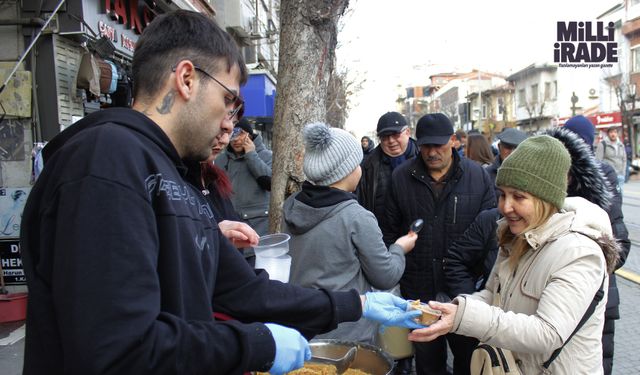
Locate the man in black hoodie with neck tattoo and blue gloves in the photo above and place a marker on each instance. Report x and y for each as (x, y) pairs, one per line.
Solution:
(124, 261)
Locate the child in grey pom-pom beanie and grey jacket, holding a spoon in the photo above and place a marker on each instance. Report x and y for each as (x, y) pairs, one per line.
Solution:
(335, 243)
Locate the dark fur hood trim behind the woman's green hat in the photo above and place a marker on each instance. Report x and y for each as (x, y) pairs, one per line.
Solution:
(586, 177)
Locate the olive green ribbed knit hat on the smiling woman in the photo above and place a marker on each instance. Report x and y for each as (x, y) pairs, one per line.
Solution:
(539, 166)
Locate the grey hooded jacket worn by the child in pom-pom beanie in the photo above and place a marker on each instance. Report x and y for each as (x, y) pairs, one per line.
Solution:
(339, 247)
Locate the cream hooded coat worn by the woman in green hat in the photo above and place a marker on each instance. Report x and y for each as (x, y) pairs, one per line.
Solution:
(547, 295)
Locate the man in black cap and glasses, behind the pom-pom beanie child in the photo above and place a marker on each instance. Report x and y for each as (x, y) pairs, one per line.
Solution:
(395, 147)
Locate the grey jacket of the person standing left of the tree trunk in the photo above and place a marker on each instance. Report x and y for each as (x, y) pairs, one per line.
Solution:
(249, 199)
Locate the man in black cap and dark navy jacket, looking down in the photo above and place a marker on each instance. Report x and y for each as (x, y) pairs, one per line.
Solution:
(447, 192)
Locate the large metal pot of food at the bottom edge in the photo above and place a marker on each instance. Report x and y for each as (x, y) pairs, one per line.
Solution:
(369, 358)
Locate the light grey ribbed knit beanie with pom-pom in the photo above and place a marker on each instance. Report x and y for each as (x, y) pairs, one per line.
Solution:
(331, 154)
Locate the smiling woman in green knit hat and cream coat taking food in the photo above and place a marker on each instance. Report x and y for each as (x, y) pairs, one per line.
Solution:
(555, 254)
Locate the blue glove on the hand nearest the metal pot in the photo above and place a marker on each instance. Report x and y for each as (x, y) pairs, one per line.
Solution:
(292, 349)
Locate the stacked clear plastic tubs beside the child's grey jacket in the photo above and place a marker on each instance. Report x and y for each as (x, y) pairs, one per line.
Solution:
(271, 256)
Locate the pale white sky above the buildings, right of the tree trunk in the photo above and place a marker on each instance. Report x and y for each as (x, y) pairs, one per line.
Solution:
(393, 44)
